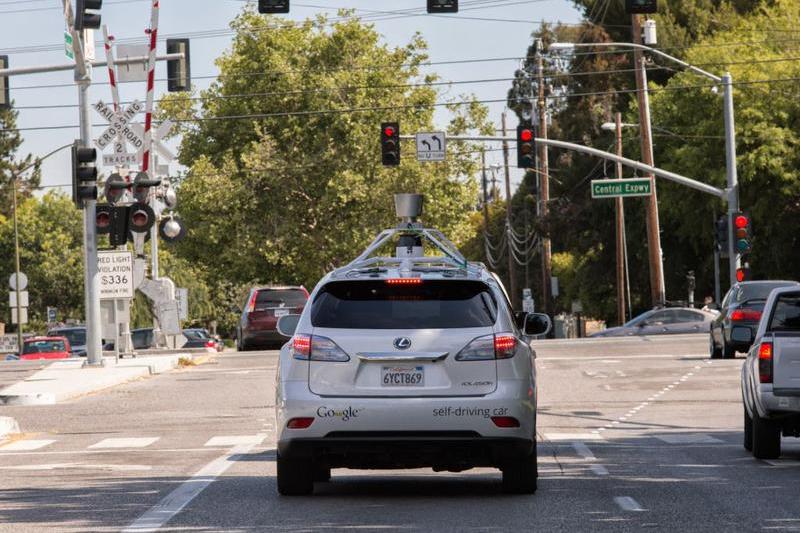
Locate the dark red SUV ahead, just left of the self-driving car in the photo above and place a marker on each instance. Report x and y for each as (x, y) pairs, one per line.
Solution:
(263, 308)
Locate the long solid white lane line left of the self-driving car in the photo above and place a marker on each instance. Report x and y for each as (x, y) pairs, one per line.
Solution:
(175, 501)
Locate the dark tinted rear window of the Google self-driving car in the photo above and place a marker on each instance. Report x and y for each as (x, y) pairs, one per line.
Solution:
(380, 305)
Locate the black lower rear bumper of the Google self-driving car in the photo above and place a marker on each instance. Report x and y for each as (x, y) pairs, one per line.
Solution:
(441, 450)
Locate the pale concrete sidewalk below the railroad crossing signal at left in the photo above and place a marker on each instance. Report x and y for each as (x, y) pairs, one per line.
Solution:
(64, 380)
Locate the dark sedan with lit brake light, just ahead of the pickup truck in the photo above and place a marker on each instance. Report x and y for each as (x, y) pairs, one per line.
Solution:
(735, 327)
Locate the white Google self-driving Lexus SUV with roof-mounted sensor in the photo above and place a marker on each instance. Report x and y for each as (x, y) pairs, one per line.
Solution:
(408, 361)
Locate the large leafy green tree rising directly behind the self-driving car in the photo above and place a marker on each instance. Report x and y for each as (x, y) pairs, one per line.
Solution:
(285, 179)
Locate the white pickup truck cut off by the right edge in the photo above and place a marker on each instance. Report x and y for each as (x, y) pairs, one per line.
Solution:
(771, 376)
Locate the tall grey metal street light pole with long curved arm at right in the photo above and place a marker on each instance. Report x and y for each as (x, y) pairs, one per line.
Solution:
(726, 80)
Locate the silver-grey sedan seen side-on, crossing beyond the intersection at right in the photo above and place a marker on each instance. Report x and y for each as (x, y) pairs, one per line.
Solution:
(668, 321)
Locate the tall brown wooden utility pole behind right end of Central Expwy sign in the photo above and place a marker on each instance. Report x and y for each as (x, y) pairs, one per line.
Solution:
(657, 289)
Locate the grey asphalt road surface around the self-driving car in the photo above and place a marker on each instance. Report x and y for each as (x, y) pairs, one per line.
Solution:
(635, 434)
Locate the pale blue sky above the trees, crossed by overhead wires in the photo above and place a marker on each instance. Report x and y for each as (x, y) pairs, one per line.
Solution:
(32, 34)
